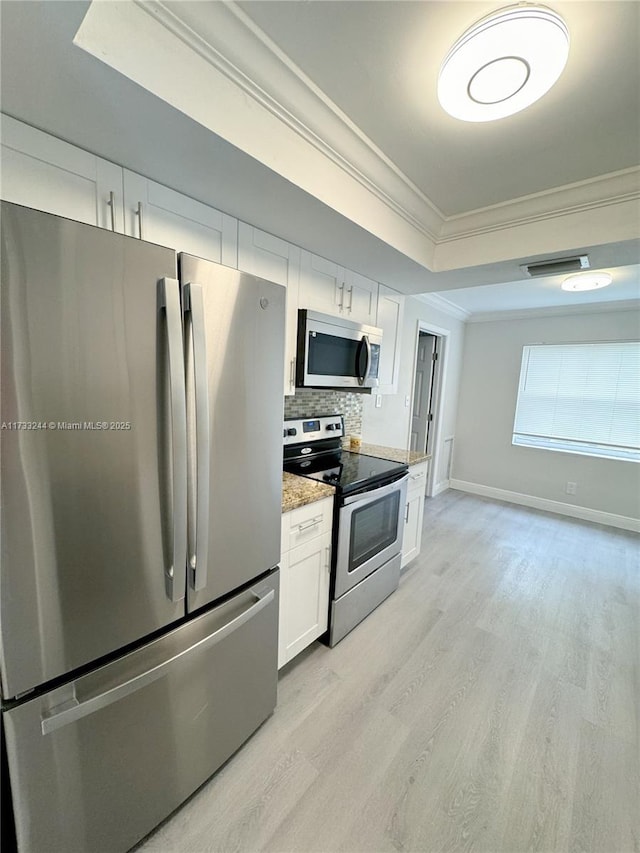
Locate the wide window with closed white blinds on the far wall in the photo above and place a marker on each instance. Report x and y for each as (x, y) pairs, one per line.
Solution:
(580, 398)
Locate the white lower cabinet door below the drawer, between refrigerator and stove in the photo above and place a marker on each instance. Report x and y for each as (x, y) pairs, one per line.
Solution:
(304, 596)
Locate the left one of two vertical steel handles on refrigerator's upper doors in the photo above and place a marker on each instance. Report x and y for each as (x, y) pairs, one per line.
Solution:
(169, 300)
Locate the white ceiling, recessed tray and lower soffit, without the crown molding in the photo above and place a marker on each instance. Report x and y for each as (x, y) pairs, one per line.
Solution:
(377, 62)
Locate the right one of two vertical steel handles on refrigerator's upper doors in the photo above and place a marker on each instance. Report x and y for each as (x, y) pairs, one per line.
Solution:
(198, 551)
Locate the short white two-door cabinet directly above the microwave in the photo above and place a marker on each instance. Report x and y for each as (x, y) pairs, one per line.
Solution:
(331, 289)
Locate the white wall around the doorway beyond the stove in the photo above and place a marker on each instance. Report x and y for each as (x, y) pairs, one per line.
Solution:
(390, 424)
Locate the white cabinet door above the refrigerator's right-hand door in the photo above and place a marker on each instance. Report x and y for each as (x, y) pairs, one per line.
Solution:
(158, 214)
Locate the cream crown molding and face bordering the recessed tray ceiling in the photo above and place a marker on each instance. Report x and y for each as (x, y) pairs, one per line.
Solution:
(211, 62)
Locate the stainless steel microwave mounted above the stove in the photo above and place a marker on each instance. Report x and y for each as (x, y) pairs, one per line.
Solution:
(336, 353)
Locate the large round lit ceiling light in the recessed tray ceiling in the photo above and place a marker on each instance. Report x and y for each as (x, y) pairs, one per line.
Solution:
(503, 63)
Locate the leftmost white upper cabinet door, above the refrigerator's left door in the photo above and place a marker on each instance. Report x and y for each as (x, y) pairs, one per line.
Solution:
(47, 174)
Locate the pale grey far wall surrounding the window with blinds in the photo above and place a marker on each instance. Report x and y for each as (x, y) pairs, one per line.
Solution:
(484, 455)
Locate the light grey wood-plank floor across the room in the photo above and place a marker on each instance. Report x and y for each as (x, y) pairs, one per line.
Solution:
(490, 704)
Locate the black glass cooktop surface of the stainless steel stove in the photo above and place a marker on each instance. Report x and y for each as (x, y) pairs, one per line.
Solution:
(347, 471)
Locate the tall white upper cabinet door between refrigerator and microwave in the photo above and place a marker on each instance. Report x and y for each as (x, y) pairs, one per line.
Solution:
(270, 257)
